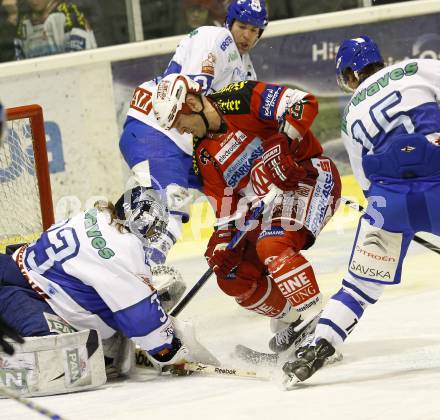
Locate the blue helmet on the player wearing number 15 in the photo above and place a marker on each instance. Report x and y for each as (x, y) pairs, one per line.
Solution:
(355, 54)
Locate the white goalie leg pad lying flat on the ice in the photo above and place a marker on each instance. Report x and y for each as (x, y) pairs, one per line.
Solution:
(56, 364)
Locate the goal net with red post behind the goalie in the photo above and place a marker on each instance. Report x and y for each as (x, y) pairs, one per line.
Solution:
(26, 199)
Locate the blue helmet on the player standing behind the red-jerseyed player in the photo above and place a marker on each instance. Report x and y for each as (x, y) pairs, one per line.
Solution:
(251, 12)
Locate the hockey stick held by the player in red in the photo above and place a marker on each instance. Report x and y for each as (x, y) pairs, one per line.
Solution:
(234, 241)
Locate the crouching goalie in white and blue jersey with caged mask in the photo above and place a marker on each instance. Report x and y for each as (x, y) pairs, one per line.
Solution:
(91, 272)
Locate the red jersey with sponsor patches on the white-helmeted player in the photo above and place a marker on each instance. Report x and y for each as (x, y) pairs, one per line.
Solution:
(229, 161)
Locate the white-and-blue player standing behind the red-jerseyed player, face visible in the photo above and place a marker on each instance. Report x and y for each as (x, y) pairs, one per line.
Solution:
(214, 57)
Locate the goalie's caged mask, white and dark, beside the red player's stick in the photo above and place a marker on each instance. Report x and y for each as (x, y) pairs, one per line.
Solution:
(143, 212)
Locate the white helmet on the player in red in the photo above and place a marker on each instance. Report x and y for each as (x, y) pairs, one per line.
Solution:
(170, 96)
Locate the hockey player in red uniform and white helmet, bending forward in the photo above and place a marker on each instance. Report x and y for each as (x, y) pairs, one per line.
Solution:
(252, 136)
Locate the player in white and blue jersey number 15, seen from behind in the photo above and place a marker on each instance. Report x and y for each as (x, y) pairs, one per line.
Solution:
(391, 130)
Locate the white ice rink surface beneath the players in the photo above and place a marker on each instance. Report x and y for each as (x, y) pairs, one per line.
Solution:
(391, 366)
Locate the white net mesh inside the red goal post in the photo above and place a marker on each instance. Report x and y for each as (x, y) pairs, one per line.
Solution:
(20, 213)
